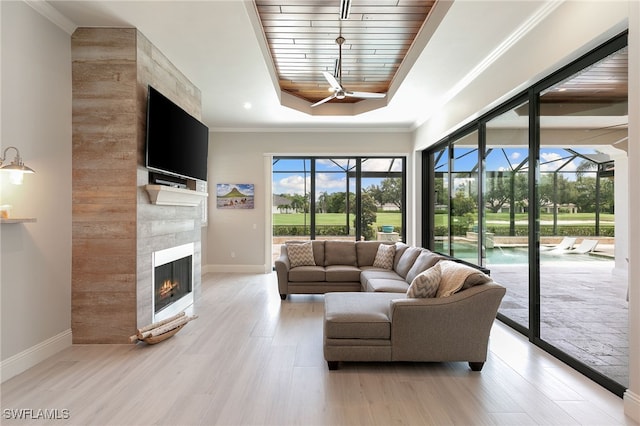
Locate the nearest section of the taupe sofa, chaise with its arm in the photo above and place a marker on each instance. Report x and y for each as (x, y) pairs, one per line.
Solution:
(393, 327)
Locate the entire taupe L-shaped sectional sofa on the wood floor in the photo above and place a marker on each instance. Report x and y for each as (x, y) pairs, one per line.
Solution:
(368, 315)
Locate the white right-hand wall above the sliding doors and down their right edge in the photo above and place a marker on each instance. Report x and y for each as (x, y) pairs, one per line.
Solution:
(573, 29)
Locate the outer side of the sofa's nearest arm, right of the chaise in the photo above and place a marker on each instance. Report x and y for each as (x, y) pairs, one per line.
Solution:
(454, 328)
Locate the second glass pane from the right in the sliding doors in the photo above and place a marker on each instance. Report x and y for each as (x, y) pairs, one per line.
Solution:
(506, 202)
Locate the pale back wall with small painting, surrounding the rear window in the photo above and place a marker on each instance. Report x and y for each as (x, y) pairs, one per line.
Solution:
(237, 239)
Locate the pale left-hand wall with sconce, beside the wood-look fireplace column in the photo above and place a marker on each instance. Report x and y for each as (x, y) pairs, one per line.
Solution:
(35, 257)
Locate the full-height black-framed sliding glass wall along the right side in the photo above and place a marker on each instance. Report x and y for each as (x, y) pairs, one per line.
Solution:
(529, 191)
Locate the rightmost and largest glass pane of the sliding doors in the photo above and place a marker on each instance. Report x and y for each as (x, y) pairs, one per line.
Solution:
(583, 306)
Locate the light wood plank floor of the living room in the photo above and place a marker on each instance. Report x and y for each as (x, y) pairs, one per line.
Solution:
(250, 359)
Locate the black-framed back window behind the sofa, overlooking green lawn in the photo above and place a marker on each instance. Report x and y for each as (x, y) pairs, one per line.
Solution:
(359, 198)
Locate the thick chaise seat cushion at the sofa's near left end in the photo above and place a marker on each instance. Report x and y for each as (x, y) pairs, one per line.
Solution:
(357, 316)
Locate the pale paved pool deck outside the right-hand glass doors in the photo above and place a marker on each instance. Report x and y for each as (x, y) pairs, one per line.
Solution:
(583, 310)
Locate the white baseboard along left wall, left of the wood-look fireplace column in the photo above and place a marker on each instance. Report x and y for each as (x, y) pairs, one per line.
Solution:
(26, 359)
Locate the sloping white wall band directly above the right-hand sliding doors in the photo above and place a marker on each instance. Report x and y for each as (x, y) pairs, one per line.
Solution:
(572, 29)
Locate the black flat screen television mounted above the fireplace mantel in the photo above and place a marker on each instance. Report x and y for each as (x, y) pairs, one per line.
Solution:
(177, 143)
